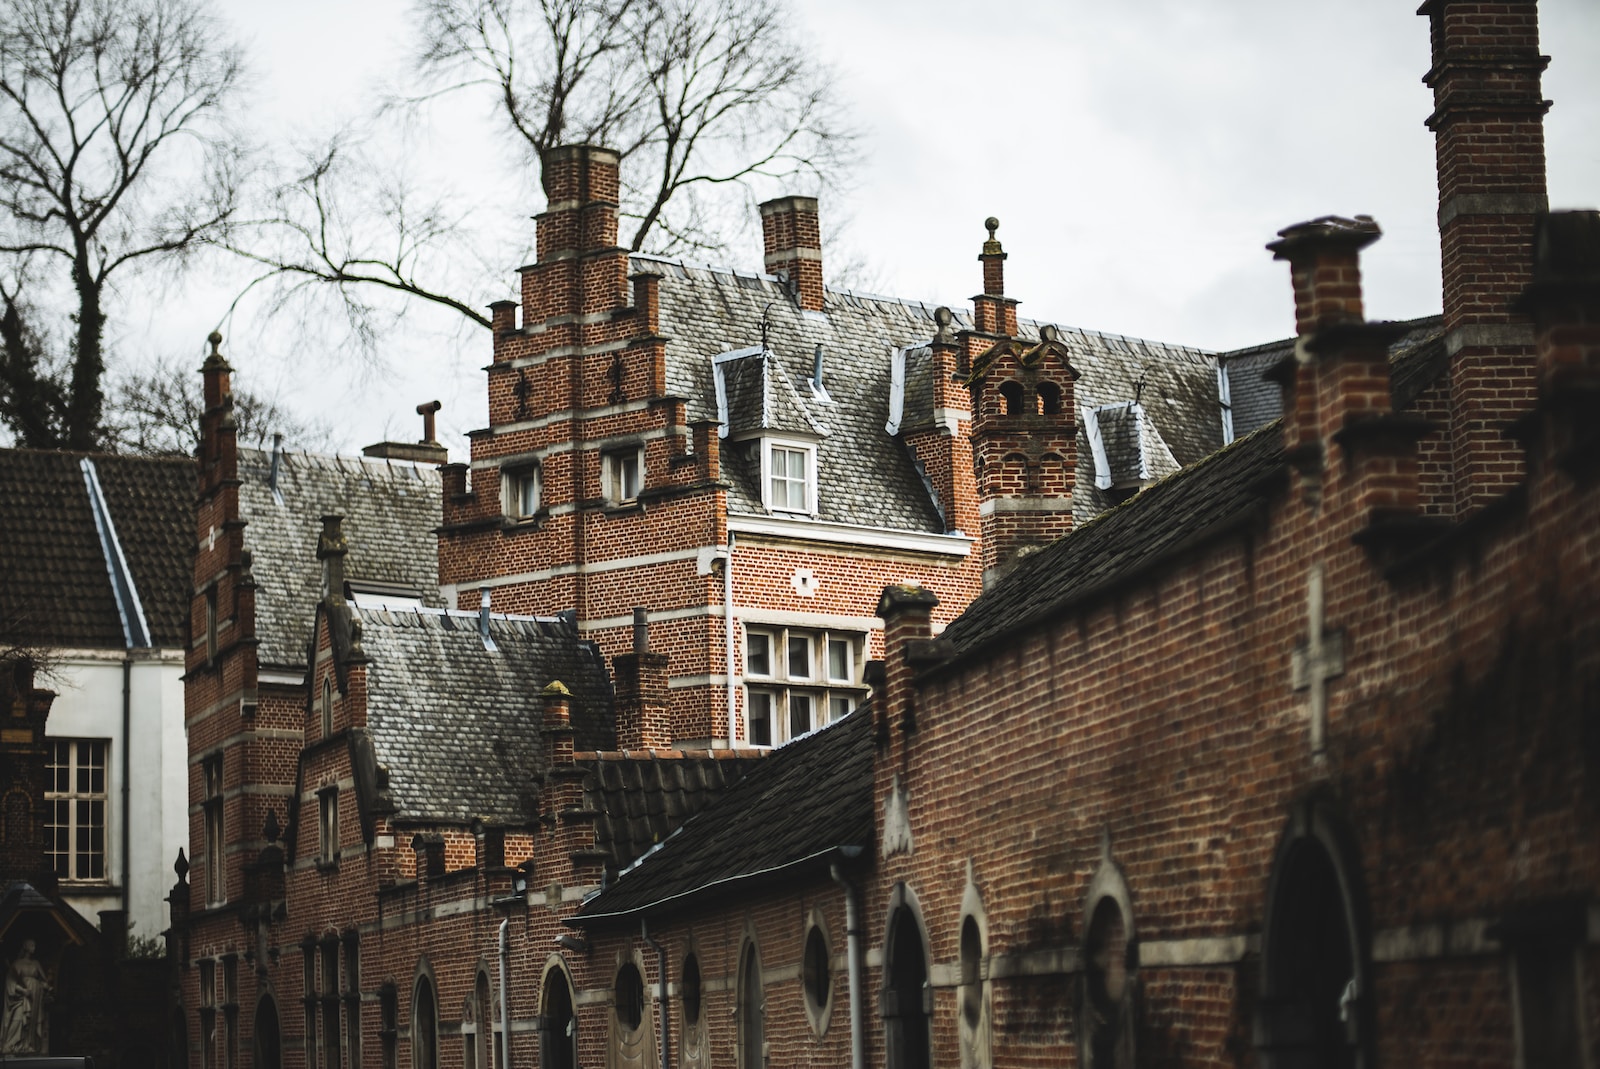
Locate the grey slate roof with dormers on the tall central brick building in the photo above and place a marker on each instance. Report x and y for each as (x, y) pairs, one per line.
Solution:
(866, 476)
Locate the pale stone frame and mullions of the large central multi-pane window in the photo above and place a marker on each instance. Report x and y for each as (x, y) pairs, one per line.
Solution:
(831, 697)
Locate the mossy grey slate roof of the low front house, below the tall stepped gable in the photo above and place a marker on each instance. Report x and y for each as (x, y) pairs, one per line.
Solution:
(458, 726)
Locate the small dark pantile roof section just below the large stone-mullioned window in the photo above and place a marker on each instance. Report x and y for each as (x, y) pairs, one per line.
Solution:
(644, 798)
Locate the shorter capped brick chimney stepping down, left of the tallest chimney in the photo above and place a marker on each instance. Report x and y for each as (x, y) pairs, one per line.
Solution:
(1356, 457)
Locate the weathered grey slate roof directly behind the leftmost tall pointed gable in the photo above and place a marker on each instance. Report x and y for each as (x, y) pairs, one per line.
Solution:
(390, 508)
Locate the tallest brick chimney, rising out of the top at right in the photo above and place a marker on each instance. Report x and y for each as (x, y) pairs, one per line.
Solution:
(1489, 126)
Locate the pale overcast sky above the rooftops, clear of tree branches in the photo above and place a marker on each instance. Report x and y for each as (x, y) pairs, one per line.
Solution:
(1138, 156)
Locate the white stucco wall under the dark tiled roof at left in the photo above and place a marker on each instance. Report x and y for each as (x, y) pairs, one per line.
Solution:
(89, 707)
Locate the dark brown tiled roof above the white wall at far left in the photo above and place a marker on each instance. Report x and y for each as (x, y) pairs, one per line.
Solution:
(55, 588)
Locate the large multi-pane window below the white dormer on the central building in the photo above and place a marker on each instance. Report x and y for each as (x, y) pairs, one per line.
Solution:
(798, 679)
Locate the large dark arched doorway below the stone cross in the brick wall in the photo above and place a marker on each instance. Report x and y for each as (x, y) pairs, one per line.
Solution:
(1314, 983)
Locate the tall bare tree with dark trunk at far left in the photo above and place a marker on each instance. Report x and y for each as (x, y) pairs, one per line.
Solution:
(113, 158)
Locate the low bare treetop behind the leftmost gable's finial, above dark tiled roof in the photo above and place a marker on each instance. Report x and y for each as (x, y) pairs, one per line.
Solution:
(156, 412)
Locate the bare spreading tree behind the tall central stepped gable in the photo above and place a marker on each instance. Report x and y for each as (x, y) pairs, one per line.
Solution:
(702, 98)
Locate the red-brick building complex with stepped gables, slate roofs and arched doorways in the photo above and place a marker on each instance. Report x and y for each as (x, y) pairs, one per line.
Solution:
(1287, 759)
